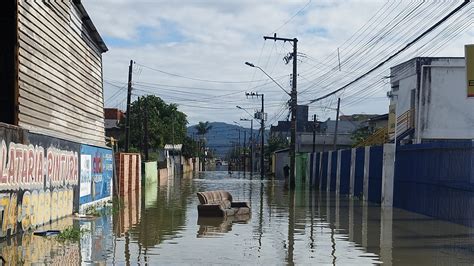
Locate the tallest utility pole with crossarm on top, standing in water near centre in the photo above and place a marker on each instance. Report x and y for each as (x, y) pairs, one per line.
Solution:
(293, 104)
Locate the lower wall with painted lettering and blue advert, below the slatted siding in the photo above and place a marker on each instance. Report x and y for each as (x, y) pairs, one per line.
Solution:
(43, 179)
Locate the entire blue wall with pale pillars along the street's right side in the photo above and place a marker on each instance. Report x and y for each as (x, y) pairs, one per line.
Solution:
(435, 179)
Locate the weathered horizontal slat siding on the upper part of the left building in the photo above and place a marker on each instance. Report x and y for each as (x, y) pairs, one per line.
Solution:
(60, 73)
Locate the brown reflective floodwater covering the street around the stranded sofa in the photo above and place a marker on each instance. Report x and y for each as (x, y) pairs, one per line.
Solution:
(160, 225)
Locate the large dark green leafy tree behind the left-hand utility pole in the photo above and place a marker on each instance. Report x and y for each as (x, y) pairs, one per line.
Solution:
(166, 125)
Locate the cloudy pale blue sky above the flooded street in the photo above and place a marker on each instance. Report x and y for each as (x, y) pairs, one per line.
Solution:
(192, 52)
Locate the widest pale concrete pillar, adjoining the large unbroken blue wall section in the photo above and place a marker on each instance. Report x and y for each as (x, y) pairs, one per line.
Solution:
(388, 171)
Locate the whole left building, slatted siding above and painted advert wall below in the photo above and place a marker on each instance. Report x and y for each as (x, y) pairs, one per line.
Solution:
(53, 159)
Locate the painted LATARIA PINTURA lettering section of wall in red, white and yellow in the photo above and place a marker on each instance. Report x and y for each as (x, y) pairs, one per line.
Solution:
(37, 180)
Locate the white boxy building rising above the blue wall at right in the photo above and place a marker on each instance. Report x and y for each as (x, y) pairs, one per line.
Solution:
(443, 111)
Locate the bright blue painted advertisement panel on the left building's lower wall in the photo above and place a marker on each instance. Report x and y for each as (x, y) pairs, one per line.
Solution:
(96, 174)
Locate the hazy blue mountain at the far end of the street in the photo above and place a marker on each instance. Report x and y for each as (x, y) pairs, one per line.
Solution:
(222, 137)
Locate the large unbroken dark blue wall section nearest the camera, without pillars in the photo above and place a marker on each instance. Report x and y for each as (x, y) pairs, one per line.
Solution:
(435, 179)
